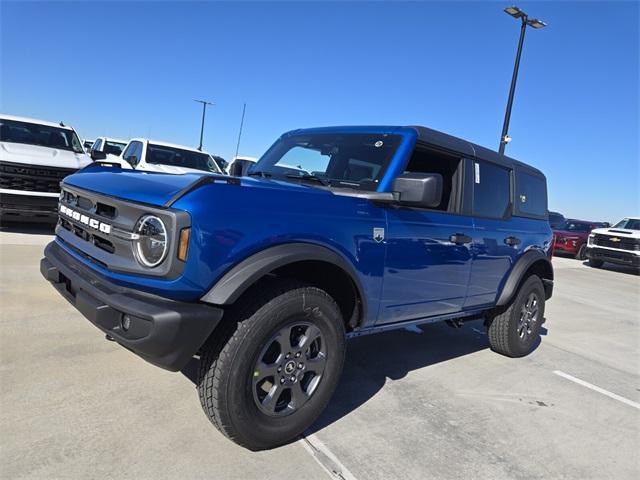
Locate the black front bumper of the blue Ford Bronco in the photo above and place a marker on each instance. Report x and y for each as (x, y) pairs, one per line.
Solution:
(162, 331)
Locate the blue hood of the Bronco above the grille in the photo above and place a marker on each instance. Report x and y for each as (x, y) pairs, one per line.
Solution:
(155, 188)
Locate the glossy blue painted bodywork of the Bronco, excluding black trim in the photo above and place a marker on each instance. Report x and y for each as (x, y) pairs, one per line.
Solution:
(416, 272)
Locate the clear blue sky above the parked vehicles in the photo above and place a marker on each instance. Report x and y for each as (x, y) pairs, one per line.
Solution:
(132, 69)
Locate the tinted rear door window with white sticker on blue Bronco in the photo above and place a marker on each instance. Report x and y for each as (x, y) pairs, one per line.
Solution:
(491, 190)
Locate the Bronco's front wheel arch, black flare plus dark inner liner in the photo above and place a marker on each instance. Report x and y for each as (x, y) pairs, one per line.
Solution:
(314, 264)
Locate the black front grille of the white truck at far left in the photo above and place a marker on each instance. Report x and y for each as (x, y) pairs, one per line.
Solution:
(32, 178)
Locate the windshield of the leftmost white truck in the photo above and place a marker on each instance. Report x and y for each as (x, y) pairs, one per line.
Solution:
(41, 135)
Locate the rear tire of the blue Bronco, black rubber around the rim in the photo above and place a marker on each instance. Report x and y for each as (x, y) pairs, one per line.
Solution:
(503, 326)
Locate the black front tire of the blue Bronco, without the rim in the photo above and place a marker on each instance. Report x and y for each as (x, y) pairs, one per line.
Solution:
(228, 360)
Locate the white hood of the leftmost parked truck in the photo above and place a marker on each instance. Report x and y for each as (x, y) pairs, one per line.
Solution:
(43, 156)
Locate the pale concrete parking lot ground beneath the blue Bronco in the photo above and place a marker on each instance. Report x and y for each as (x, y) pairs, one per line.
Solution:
(429, 403)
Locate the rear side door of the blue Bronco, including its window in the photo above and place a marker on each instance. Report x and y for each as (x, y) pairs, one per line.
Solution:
(495, 243)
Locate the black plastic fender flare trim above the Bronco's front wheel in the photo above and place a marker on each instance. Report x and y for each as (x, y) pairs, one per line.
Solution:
(235, 282)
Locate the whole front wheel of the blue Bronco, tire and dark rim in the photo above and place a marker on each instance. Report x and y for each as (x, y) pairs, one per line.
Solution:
(278, 367)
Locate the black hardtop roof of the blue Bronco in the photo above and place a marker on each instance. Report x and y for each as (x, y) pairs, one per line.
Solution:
(449, 142)
